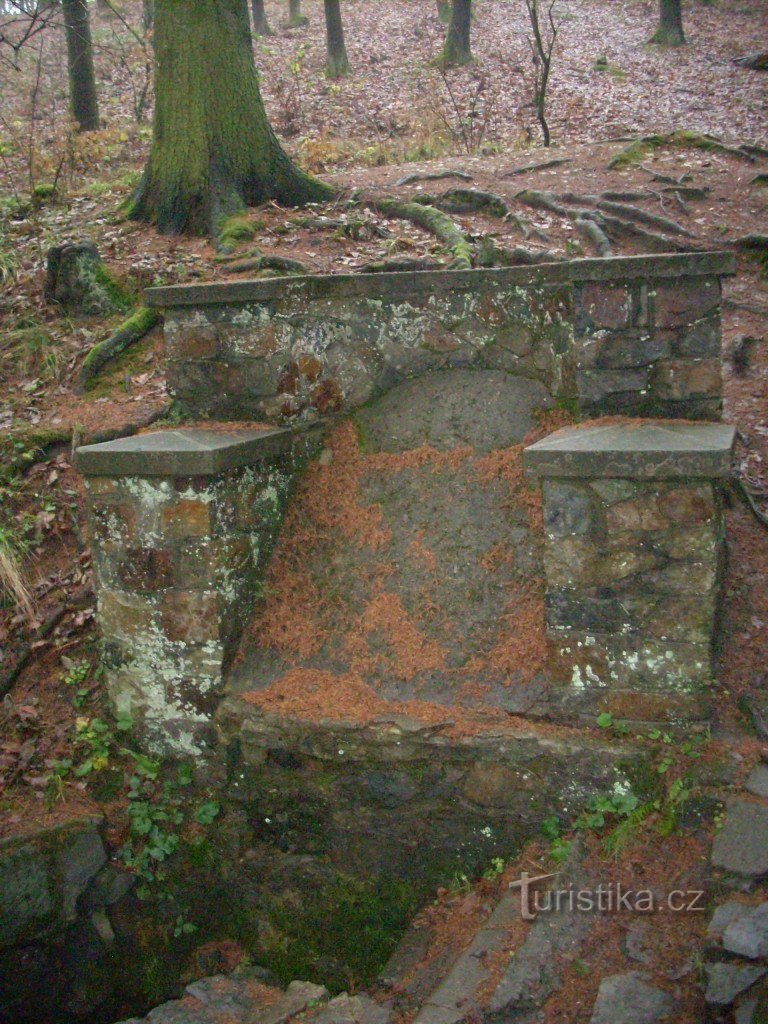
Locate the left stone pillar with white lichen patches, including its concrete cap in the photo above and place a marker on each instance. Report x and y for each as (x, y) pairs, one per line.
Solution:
(182, 523)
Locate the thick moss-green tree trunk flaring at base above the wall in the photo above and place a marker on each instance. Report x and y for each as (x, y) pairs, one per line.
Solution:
(214, 149)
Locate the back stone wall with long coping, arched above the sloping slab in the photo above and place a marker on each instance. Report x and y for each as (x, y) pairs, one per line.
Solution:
(635, 335)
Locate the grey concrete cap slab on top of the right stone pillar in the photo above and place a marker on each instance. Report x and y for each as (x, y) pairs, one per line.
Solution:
(637, 449)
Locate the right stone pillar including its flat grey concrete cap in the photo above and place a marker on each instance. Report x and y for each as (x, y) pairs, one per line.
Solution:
(634, 551)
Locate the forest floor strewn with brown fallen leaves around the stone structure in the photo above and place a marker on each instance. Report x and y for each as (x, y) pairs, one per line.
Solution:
(393, 118)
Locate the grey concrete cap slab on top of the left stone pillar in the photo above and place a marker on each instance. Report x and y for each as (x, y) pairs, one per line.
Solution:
(183, 453)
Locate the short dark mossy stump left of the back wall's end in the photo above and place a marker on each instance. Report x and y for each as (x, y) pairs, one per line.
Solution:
(76, 279)
